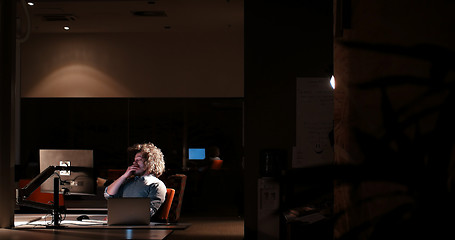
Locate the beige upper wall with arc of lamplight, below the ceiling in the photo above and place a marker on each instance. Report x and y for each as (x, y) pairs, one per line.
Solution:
(169, 64)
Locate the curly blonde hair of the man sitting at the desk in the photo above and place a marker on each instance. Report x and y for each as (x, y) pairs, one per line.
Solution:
(153, 155)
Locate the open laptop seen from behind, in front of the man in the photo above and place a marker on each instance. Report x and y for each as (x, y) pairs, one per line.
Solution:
(128, 211)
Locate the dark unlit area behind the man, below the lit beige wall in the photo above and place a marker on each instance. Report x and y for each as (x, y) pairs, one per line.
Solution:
(108, 125)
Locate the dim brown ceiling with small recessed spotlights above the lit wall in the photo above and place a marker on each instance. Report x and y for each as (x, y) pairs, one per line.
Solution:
(85, 16)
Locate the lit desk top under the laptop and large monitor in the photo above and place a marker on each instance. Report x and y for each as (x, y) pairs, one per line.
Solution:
(83, 230)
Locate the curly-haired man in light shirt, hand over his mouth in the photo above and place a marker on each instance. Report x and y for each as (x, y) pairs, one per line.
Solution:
(141, 178)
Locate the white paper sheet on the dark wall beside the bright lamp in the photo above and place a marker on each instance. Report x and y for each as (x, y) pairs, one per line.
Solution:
(314, 122)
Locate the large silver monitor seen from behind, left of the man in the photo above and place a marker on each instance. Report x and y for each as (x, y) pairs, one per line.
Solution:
(74, 182)
